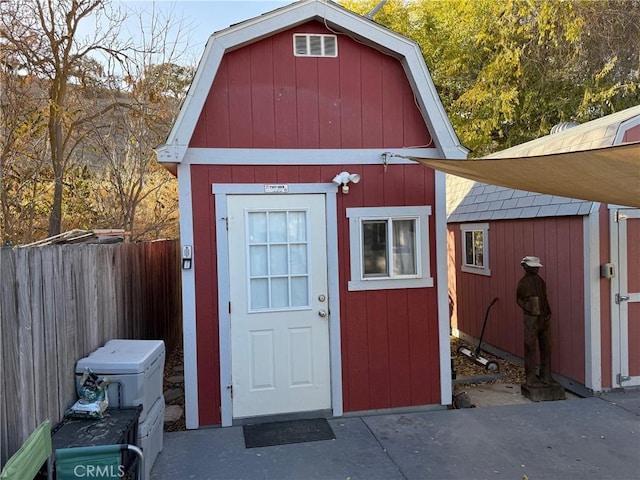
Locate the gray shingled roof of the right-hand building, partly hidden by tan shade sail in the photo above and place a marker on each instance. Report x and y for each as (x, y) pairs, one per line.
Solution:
(471, 201)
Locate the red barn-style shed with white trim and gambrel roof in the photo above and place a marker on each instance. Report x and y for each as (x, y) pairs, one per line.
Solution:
(314, 272)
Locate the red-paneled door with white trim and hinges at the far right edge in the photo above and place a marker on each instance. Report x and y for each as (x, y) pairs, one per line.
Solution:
(627, 297)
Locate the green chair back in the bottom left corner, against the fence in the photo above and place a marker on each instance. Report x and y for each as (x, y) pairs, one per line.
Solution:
(26, 462)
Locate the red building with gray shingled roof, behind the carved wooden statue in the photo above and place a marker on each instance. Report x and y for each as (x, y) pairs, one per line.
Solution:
(591, 257)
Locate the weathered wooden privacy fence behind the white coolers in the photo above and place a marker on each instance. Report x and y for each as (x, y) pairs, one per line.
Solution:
(60, 303)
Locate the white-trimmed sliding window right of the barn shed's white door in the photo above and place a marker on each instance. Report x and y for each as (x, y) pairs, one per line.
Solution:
(389, 247)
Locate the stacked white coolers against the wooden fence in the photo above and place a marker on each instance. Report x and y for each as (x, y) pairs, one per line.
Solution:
(136, 370)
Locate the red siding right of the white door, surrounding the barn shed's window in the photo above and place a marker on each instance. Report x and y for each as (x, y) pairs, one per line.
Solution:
(390, 354)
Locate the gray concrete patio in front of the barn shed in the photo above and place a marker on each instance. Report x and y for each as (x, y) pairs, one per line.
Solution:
(596, 437)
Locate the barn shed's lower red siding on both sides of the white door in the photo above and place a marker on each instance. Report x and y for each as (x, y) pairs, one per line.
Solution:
(390, 355)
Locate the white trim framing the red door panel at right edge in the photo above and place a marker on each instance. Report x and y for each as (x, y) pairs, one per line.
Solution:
(619, 324)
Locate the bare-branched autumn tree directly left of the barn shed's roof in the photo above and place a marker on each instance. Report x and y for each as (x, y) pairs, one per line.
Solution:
(136, 193)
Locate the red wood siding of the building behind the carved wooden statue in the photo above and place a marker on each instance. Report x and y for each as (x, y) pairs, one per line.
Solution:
(558, 241)
